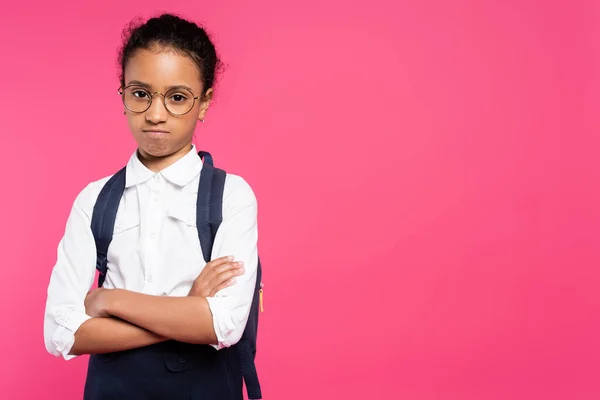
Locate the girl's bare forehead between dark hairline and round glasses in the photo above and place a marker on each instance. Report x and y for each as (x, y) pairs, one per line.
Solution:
(162, 69)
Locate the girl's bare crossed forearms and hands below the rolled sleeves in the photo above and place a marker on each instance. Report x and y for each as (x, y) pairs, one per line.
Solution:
(123, 320)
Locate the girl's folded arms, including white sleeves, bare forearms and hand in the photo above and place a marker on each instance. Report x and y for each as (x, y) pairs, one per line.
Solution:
(117, 319)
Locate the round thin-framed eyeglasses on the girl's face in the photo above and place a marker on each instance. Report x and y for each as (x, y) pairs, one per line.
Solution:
(178, 100)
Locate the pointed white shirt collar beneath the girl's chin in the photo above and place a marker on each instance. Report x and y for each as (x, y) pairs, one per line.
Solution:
(180, 173)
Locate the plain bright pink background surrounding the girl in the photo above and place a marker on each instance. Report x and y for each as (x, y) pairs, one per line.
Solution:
(427, 178)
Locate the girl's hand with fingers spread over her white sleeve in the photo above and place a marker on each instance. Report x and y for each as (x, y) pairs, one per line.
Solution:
(216, 275)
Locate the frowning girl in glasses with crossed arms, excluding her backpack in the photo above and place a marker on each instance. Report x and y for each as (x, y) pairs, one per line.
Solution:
(159, 300)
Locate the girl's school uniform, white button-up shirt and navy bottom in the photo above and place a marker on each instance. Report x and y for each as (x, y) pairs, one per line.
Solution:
(155, 250)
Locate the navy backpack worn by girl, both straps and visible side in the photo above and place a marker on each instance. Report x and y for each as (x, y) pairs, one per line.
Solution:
(208, 218)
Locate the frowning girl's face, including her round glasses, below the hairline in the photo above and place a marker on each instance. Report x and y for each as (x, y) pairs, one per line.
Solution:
(165, 125)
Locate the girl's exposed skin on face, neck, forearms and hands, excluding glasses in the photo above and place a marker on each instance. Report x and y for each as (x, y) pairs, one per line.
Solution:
(122, 319)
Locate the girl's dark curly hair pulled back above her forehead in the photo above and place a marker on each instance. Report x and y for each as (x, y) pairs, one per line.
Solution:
(174, 33)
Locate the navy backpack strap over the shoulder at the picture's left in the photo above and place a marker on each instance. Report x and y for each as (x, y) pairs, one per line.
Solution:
(103, 220)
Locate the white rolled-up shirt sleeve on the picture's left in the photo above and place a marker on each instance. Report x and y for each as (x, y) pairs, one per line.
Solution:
(71, 278)
